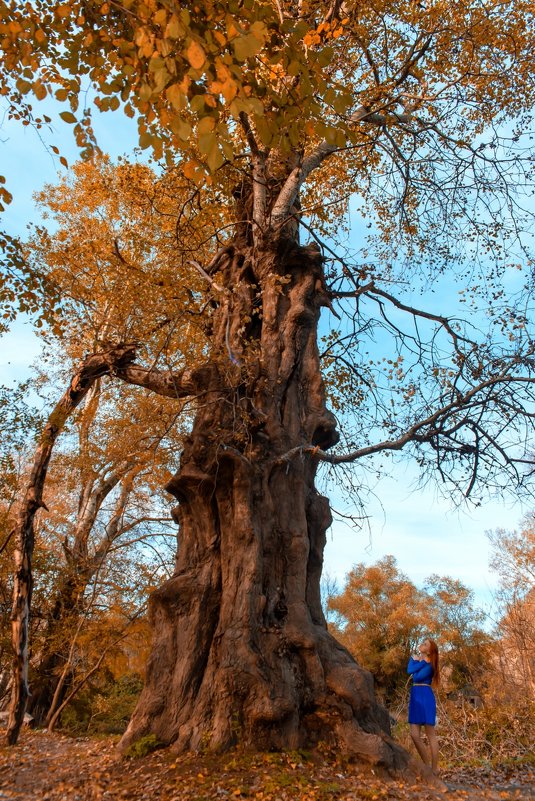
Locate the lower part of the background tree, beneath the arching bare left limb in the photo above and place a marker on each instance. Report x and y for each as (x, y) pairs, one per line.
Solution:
(104, 498)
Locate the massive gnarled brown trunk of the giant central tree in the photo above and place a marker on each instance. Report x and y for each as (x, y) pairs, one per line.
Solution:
(241, 648)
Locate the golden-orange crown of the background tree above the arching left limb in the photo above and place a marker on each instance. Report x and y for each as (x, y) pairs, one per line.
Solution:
(120, 253)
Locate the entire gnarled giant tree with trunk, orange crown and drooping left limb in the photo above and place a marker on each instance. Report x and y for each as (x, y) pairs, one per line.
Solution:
(271, 115)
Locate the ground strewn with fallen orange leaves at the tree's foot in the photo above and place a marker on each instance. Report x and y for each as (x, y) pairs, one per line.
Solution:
(54, 767)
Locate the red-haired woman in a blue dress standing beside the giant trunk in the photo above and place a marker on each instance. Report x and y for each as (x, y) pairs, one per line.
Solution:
(422, 705)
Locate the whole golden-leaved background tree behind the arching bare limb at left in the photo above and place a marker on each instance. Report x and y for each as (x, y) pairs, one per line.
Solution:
(119, 447)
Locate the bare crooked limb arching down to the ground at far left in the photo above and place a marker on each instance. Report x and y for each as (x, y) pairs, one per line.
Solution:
(91, 369)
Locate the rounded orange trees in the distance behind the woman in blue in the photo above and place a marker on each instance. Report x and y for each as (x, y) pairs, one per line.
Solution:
(383, 616)
